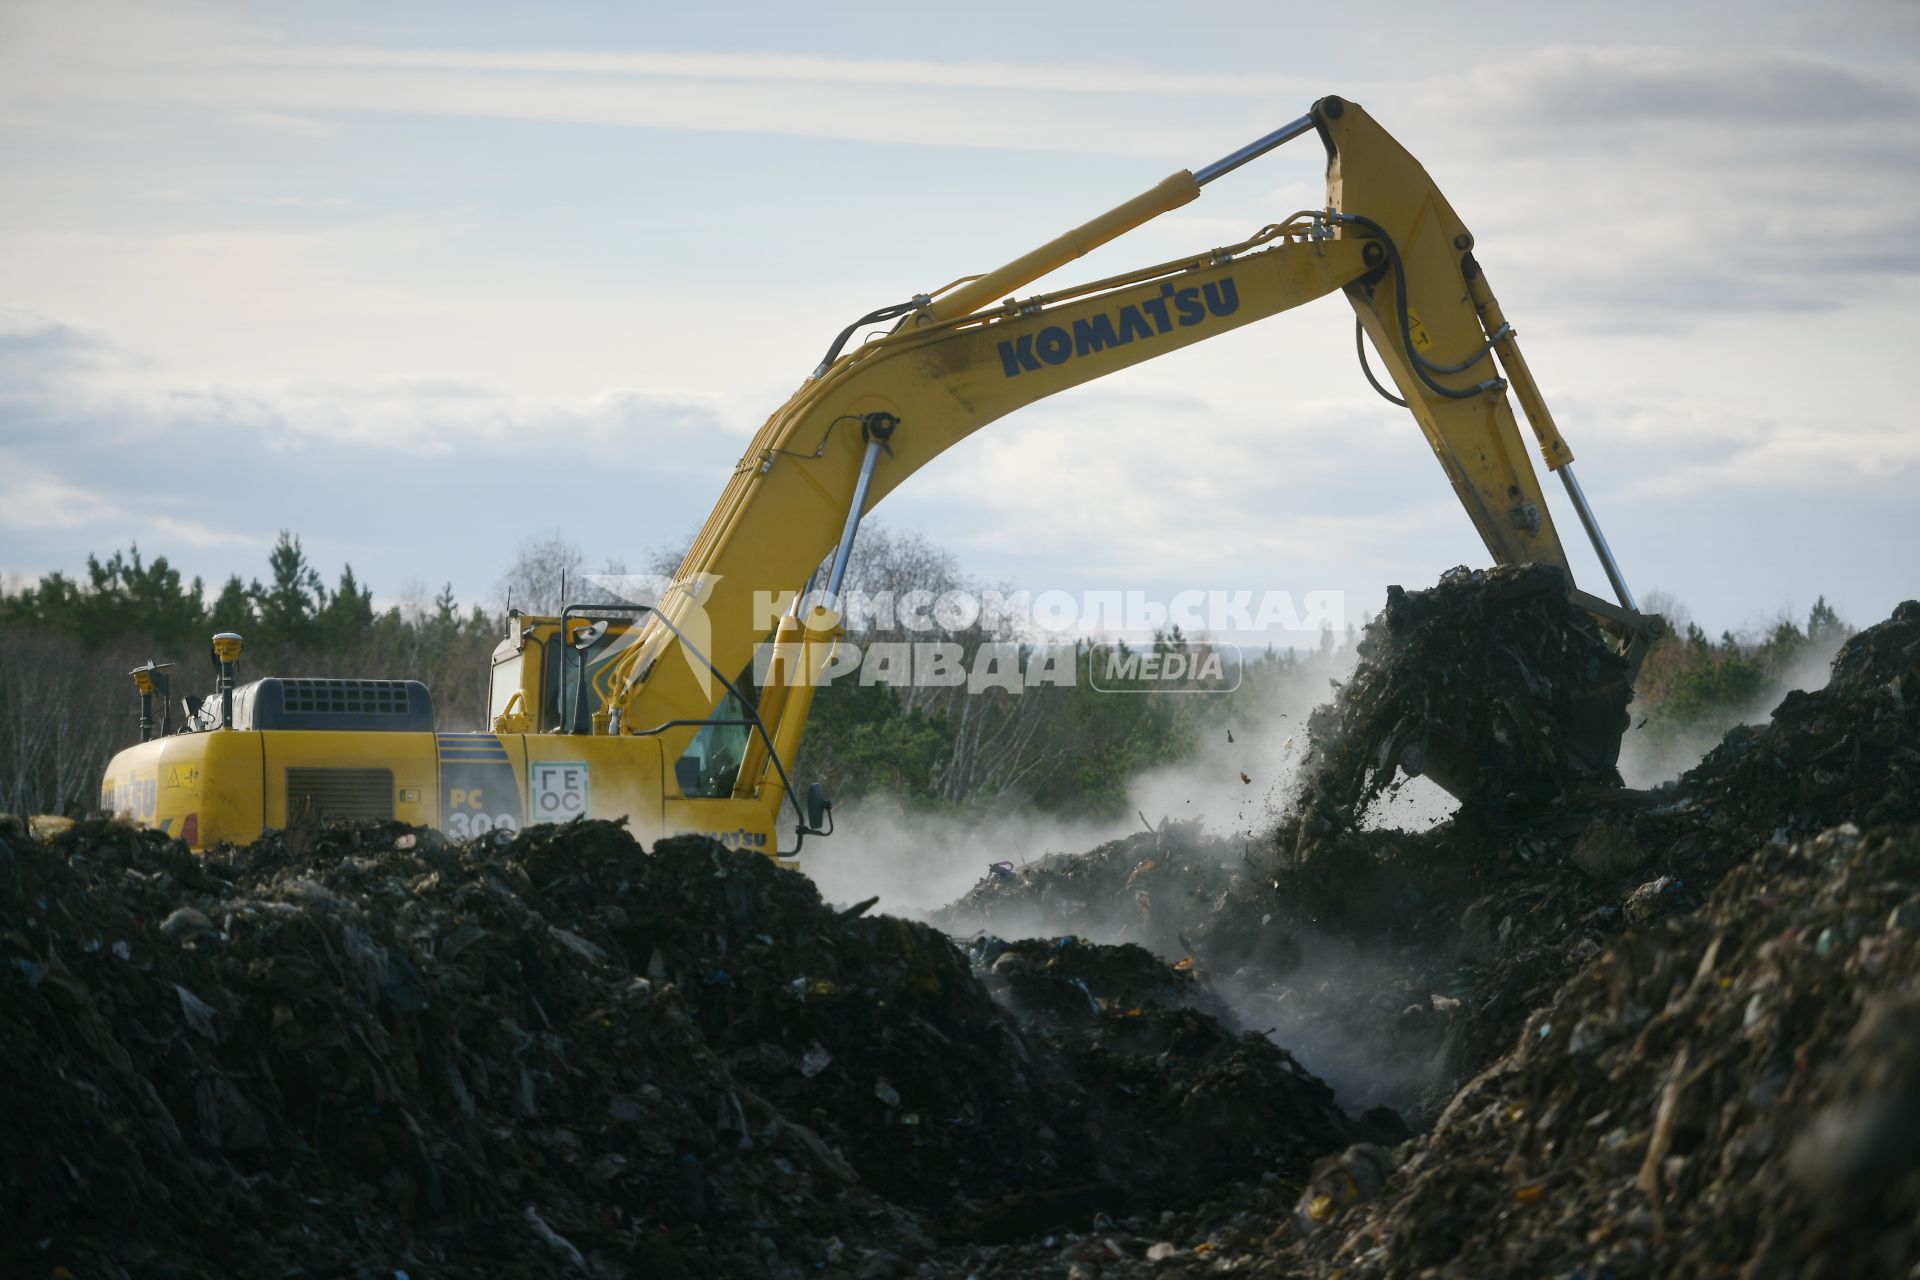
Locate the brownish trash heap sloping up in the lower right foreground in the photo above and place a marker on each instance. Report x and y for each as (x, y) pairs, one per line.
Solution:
(1735, 1091)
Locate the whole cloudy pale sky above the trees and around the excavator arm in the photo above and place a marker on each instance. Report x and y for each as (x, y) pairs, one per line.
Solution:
(427, 281)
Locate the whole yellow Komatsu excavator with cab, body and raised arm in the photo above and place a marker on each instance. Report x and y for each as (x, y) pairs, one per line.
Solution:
(656, 713)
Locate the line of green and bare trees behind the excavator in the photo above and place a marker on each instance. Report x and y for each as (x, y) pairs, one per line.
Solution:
(66, 701)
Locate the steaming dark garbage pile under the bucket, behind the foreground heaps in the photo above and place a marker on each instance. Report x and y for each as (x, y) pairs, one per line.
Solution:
(1401, 964)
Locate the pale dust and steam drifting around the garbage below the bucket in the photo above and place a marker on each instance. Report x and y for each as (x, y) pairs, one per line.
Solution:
(921, 863)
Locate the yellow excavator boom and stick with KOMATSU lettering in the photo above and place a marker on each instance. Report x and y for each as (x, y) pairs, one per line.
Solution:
(972, 354)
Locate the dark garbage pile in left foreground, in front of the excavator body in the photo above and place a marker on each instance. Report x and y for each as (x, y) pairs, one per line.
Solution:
(372, 1051)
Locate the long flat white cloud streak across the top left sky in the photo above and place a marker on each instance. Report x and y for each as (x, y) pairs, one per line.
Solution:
(151, 62)
